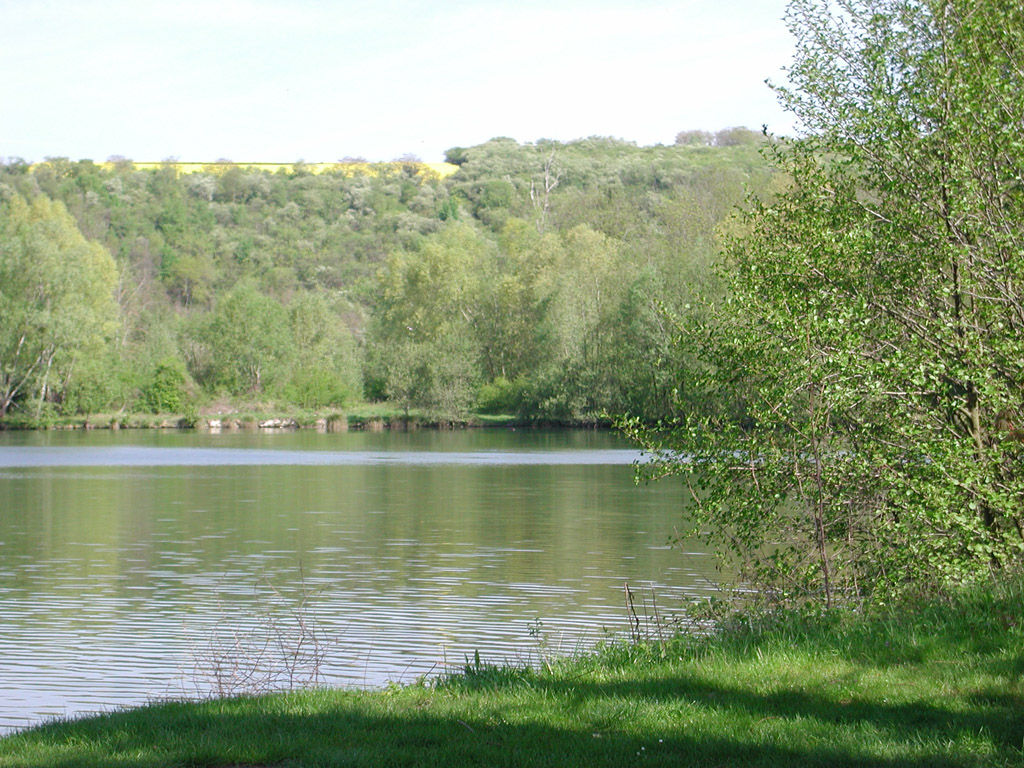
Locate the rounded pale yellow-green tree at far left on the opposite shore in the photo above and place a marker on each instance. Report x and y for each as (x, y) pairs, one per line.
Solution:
(57, 304)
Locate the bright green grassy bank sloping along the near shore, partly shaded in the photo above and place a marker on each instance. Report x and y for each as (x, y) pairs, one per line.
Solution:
(935, 684)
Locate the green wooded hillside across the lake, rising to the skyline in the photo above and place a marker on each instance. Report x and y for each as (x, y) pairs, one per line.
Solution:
(532, 280)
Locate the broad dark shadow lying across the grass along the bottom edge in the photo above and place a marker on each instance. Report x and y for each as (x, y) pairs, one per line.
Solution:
(439, 729)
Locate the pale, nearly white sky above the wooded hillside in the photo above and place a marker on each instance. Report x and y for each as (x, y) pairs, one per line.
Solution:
(313, 80)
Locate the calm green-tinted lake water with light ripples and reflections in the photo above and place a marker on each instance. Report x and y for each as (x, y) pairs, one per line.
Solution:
(133, 564)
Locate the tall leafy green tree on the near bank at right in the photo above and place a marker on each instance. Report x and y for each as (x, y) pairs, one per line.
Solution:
(873, 346)
